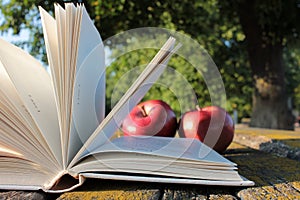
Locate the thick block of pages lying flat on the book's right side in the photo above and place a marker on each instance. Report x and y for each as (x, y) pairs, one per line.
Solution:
(175, 157)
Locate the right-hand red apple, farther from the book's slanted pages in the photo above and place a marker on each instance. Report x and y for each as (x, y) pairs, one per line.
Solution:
(212, 125)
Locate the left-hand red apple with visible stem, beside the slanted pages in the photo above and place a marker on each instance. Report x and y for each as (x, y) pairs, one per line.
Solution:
(150, 118)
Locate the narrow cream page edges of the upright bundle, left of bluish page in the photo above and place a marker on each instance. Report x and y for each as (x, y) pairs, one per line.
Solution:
(65, 19)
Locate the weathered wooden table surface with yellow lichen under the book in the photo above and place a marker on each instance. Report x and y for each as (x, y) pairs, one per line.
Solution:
(270, 158)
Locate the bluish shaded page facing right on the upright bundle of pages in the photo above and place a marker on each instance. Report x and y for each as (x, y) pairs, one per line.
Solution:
(88, 106)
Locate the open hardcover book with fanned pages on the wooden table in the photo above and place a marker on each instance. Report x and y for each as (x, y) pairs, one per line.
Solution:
(53, 130)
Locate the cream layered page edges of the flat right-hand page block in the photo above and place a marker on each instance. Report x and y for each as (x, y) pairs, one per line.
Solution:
(140, 166)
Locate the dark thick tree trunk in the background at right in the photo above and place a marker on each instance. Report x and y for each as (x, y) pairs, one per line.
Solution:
(269, 108)
